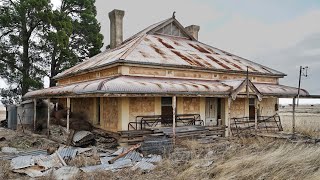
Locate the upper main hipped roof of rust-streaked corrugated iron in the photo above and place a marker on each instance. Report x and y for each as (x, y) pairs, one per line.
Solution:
(147, 47)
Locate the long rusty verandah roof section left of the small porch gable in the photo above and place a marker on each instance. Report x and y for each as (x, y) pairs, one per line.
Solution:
(130, 84)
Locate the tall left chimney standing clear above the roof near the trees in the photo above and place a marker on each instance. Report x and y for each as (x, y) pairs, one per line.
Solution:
(116, 27)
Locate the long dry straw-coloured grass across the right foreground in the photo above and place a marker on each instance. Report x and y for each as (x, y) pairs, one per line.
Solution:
(251, 158)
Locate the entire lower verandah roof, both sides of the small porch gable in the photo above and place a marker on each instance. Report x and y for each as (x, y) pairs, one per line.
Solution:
(156, 85)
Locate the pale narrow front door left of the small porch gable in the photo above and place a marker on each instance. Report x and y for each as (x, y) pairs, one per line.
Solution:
(211, 112)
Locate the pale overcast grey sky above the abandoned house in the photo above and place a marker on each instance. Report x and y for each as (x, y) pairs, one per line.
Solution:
(279, 34)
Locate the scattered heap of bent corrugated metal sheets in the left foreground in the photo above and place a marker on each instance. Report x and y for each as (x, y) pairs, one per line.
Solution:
(58, 163)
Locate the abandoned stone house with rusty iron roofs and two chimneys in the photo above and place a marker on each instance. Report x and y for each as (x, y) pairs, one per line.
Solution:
(164, 72)
